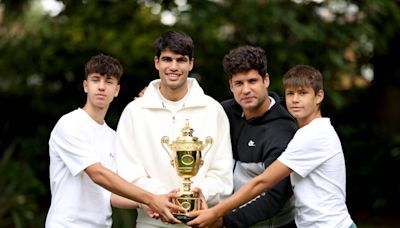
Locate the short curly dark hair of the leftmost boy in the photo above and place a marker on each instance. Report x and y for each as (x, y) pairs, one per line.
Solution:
(104, 65)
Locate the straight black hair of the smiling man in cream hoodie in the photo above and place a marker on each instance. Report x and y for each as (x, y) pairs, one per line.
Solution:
(177, 42)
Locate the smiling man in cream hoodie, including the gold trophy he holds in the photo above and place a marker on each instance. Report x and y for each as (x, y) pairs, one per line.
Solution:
(175, 121)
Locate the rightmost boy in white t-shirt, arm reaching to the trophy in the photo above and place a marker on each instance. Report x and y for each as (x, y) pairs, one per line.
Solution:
(314, 160)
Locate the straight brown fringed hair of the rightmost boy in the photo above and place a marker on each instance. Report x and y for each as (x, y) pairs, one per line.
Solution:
(303, 76)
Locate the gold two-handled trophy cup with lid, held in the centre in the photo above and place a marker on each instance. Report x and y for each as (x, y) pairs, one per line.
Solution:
(185, 153)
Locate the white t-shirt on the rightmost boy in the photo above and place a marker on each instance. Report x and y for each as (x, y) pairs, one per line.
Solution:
(319, 179)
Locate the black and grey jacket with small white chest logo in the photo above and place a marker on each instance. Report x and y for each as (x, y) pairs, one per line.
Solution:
(256, 143)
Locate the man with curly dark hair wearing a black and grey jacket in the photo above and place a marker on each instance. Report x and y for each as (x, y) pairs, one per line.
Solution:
(260, 131)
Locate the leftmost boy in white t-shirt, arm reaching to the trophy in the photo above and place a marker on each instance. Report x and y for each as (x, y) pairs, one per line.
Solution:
(82, 159)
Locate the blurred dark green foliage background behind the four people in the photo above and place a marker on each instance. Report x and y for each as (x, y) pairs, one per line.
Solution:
(41, 73)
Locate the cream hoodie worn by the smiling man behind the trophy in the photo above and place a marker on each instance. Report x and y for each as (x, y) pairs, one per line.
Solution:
(142, 160)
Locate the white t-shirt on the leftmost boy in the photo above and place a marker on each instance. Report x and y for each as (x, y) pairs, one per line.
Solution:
(76, 142)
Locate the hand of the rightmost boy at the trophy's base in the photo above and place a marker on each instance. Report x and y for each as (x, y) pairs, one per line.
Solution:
(204, 218)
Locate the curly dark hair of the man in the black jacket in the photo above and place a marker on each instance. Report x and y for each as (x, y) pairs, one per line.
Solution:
(245, 58)
